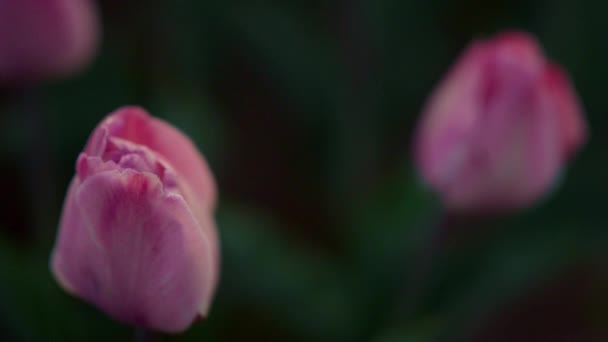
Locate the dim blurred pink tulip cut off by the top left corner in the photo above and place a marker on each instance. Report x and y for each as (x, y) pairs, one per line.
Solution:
(42, 39)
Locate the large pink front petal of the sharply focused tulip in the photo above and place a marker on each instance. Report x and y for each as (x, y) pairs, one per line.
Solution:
(135, 251)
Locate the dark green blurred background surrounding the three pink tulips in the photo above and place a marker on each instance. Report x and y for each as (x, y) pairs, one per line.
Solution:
(305, 111)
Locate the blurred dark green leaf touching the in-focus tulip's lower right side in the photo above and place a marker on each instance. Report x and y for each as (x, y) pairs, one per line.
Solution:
(298, 286)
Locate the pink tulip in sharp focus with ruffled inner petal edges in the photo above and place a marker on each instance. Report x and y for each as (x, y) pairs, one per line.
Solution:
(137, 236)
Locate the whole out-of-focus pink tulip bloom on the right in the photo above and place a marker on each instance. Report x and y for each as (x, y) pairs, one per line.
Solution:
(498, 129)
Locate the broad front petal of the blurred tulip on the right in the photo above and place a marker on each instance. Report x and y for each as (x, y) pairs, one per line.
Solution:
(513, 156)
